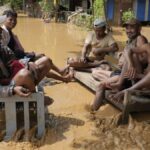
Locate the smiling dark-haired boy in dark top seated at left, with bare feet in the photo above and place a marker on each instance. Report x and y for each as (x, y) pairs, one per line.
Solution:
(10, 40)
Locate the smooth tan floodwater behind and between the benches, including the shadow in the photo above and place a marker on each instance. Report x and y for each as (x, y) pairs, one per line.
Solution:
(59, 41)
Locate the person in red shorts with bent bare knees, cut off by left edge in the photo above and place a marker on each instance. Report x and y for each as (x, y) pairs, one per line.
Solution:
(25, 75)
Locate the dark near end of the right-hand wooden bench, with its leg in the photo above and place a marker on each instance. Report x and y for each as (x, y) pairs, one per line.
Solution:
(134, 101)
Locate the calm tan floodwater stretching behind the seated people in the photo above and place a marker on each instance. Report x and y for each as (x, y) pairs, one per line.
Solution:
(55, 40)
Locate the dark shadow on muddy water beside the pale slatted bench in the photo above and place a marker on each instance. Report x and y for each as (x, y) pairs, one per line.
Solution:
(58, 125)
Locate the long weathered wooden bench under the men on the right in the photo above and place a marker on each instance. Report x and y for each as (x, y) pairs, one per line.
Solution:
(134, 101)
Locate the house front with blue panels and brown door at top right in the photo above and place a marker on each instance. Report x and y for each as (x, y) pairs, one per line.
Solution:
(115, 8)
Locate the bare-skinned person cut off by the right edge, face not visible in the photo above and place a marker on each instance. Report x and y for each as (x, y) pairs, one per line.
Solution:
(143, 76)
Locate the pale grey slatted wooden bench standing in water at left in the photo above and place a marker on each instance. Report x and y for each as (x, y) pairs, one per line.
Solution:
(10, 113)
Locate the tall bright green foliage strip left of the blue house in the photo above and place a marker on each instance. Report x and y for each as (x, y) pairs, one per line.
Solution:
(98, 8)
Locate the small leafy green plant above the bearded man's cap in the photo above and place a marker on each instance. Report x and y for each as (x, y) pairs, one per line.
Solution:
(129, 14)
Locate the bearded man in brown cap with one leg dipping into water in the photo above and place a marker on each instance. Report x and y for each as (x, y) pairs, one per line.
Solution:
(135, 39)
